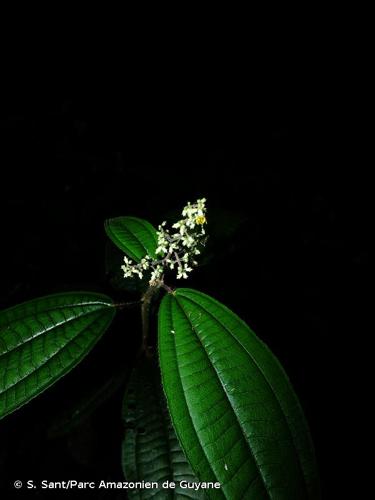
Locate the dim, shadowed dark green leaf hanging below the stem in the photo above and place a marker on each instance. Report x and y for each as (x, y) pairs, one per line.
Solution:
(151, 451)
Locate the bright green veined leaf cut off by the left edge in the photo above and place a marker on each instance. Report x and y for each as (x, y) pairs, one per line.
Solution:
(43, 339)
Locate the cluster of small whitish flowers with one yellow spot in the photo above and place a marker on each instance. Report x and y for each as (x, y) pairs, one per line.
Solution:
(175, 250)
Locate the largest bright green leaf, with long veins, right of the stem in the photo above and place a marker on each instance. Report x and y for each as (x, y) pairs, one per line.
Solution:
(232, 405)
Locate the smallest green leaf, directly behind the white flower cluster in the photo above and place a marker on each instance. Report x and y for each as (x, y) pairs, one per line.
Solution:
(136, 237)
